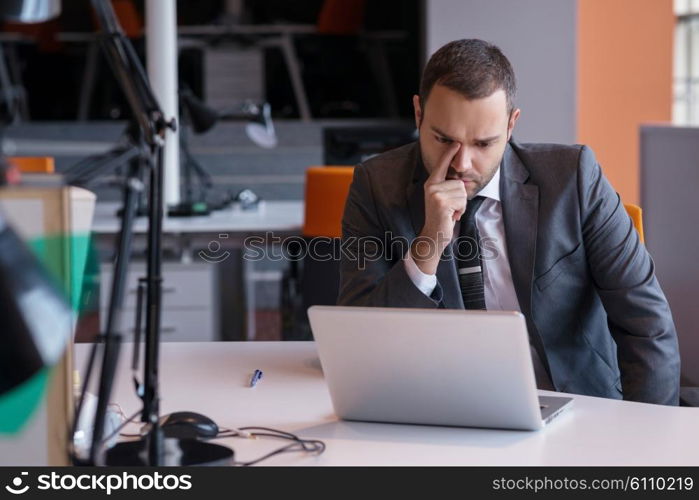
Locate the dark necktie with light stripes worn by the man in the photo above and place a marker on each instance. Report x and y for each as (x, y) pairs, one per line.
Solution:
(468, 257)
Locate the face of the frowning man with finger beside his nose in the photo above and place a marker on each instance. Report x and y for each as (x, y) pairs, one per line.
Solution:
(482, 127)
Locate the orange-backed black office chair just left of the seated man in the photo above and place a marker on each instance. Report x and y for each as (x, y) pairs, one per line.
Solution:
(312, 278)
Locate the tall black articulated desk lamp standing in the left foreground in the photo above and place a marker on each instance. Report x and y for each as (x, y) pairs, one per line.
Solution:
(154, 448)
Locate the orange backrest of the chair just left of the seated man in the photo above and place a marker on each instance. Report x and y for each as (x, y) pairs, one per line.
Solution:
(326, 191)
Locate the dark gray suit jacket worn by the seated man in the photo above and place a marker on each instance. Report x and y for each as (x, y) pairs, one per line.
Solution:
(595, 312)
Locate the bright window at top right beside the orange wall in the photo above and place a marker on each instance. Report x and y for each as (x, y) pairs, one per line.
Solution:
(685, 110)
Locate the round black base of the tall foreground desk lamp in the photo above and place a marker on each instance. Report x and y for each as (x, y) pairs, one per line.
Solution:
(176, 452)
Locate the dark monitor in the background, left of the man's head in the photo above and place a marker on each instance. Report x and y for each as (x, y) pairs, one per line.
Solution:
(349, 145)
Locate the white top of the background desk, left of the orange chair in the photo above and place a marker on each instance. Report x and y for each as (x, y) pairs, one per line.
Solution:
(282, 216)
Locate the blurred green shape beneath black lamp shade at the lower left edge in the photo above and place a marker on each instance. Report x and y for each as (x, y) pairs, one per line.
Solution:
(18, 404)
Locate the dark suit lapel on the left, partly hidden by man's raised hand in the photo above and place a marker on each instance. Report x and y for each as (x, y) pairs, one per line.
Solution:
(446, 269)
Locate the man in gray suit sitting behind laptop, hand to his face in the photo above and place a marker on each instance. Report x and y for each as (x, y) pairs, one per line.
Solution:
(553, 238)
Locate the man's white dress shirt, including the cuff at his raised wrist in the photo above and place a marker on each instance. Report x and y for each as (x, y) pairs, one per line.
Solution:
(497, 277)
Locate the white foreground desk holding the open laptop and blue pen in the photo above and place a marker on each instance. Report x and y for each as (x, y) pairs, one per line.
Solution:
(212, 378)
